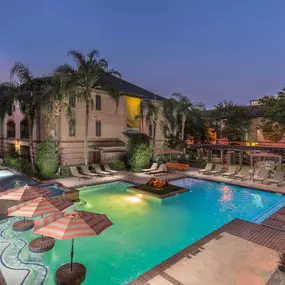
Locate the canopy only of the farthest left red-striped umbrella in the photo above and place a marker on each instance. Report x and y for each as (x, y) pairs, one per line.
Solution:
(24, 193)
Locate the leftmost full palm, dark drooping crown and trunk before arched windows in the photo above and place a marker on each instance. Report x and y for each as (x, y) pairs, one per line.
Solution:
(26, 91)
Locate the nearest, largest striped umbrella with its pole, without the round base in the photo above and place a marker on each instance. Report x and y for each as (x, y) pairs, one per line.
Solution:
(72, 225)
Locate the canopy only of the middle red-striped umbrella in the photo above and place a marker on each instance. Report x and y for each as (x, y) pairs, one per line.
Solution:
(39, 207)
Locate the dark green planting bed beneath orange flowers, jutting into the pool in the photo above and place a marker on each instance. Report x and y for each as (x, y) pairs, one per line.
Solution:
(168, 191)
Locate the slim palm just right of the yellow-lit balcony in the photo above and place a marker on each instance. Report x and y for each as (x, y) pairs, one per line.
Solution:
(152, 112)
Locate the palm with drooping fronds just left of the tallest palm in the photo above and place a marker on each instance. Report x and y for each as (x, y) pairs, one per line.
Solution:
(56, 97)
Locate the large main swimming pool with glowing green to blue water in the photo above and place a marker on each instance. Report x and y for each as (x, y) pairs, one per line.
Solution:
(147, 230)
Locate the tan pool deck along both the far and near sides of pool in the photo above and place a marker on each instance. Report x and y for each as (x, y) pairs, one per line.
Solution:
(238, 253)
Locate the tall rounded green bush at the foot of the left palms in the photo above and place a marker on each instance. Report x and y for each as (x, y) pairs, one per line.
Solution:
(47, 158)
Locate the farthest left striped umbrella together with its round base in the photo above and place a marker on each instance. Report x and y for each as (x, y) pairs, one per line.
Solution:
(23, 194)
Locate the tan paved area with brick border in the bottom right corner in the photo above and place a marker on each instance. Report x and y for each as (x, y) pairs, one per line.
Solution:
(251, 259)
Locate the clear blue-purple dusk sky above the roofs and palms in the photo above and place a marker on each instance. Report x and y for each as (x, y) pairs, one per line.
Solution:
(209, 50)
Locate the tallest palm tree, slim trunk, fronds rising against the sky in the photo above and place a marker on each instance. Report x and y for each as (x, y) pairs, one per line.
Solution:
(85, 79)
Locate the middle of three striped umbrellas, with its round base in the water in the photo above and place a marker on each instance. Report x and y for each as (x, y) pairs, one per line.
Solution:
(39, 207)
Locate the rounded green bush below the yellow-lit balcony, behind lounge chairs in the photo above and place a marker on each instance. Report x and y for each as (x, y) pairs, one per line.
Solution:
(140, 157)
